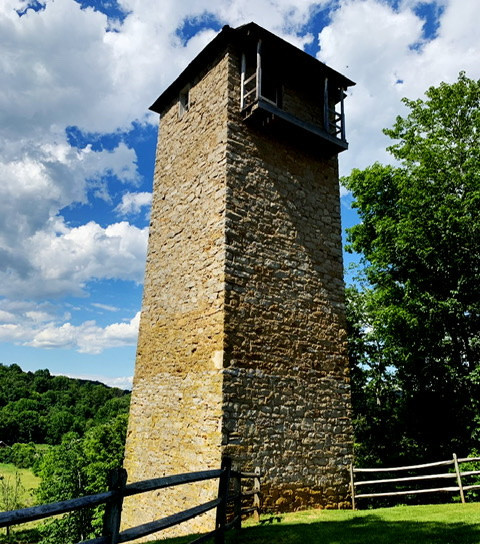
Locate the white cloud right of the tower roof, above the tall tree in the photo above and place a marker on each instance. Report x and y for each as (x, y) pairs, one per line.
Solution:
(384, 51)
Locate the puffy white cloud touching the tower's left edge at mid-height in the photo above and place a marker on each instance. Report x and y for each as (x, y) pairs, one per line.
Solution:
(62, 260)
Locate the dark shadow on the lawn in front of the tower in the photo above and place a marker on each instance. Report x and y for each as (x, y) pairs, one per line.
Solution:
(362, 530)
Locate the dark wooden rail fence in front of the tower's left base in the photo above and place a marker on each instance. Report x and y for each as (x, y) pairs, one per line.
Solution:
(226, 518)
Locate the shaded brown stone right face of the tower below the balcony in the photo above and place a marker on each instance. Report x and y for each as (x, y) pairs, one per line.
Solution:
(286, 390)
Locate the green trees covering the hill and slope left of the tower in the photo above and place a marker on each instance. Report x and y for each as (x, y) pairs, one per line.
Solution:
(84, 424)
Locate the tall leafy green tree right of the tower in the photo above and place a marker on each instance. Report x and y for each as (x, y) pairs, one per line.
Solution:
(420, 237)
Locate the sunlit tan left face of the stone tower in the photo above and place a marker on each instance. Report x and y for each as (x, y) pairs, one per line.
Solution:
(175, 416)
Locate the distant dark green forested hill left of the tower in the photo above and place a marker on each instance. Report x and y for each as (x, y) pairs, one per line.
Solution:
(41, 408)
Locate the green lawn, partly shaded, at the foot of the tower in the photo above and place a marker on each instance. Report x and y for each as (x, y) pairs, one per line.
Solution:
(430, 524)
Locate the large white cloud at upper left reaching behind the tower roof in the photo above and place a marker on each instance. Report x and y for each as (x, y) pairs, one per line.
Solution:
(110, 79)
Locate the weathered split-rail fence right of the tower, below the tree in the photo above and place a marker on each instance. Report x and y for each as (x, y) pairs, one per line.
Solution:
(457, 475)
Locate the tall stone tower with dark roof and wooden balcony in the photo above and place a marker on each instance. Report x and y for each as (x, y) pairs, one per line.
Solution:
(242, 347)
